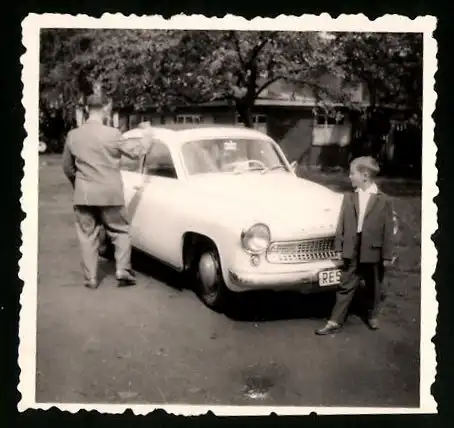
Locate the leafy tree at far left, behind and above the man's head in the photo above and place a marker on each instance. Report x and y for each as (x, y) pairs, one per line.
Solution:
(74, 61)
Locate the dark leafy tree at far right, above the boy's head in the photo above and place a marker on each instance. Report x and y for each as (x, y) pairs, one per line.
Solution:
(390, 67)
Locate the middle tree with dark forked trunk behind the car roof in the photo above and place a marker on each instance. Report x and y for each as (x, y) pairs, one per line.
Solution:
(238, 66)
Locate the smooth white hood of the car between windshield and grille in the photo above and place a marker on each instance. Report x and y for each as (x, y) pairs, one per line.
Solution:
(291, 206)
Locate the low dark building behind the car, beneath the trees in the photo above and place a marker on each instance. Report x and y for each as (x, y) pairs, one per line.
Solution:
(292, 115)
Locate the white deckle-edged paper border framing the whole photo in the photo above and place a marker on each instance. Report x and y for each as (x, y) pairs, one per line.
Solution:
(28, 265)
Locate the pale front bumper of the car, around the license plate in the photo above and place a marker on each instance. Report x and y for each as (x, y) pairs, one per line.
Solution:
(303, 278)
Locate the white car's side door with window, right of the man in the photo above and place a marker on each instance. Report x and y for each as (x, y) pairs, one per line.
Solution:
(154, 208)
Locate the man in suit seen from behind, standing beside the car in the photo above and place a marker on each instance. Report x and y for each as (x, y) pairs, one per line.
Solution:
(91, 159)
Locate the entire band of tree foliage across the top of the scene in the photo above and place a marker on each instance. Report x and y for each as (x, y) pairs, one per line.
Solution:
(167, 67)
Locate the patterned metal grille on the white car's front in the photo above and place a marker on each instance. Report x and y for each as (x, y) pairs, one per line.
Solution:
(307, 250)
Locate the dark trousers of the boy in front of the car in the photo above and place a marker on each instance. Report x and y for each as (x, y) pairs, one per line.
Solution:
(353, 272)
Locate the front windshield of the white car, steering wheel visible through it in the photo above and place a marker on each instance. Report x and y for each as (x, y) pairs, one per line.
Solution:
(237, 155)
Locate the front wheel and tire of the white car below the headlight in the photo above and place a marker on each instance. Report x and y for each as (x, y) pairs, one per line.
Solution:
(209, 283)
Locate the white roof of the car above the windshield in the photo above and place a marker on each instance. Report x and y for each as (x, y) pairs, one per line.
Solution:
(181, 133)
